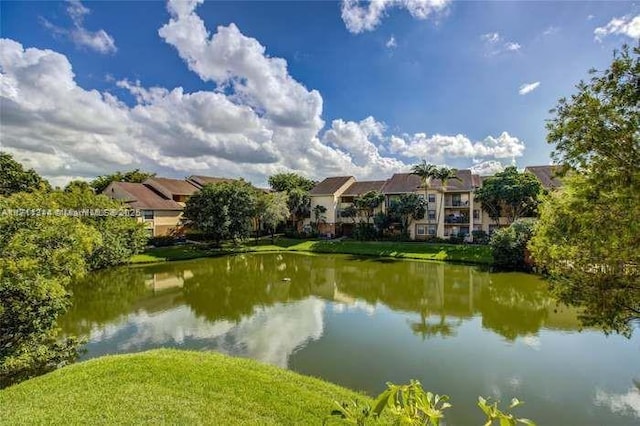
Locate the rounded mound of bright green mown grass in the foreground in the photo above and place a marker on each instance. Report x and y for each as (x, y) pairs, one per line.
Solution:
(171, 387)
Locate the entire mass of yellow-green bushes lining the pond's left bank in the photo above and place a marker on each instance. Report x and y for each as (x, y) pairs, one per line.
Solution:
(39, 256)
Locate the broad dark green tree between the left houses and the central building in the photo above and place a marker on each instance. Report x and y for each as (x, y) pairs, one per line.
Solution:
(223, 210)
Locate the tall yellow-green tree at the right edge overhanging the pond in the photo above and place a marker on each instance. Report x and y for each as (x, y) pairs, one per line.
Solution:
(588, 235)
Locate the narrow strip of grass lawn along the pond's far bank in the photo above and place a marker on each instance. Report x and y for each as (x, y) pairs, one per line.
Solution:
(410, 250)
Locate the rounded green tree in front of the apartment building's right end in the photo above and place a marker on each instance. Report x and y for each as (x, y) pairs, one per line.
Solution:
(509, 194)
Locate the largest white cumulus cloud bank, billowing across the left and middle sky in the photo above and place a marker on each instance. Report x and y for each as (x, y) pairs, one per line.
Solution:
(255, 121)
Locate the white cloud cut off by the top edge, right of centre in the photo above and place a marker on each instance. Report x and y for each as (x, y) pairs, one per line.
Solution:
(359, 17)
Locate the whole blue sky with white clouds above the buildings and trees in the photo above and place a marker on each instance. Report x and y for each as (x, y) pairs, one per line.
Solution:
(252, 88)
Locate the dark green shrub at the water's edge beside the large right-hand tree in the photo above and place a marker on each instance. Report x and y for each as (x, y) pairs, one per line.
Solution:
(509, 245)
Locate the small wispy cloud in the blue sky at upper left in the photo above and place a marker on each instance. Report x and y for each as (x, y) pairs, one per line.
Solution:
(100, 40)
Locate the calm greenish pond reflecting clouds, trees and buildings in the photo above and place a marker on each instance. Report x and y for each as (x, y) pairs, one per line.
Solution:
(362, 322)
